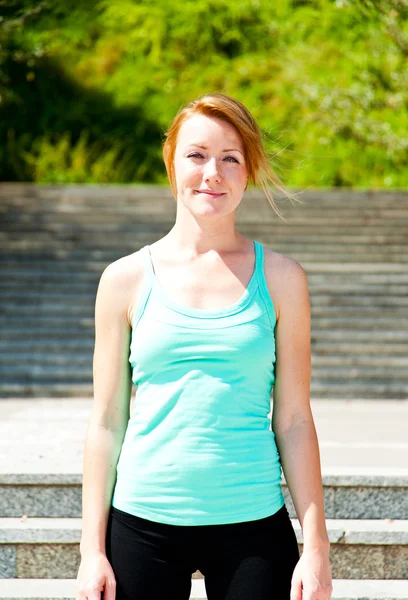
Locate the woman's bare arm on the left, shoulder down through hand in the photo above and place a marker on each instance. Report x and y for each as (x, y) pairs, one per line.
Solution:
(108, 422)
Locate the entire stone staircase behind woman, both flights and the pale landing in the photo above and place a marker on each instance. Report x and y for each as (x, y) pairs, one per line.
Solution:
(55, 242)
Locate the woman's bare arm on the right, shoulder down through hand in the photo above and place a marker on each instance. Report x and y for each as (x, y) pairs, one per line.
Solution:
(292, 419)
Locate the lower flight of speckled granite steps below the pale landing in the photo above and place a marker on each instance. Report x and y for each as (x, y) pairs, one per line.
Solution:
(40, 527)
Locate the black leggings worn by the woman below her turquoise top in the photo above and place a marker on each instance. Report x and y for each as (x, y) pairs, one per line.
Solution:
(252, 560)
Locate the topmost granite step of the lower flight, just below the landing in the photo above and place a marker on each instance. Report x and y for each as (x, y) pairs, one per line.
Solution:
(346, 496)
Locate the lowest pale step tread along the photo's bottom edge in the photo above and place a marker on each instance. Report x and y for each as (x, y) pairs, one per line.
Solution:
(64, 589)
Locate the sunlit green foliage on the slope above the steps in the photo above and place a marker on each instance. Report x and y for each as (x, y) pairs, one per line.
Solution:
(87, 90)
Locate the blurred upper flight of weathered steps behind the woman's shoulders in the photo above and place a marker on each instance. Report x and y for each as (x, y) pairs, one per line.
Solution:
(56, 240)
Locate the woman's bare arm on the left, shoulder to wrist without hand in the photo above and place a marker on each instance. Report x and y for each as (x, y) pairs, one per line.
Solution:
(110, 410)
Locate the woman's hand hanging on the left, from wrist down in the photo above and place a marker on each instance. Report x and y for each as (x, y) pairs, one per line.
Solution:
(95, 575)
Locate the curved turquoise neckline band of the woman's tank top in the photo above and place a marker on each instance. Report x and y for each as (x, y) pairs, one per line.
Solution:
(231, 309)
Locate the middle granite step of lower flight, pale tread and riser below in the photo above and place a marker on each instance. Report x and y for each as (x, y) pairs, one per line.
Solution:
(49, 548)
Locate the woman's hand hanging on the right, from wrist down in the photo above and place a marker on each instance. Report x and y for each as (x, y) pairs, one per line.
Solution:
(311, 578)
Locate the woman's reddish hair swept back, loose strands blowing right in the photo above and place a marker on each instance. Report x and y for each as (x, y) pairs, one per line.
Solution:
(232, 112)
